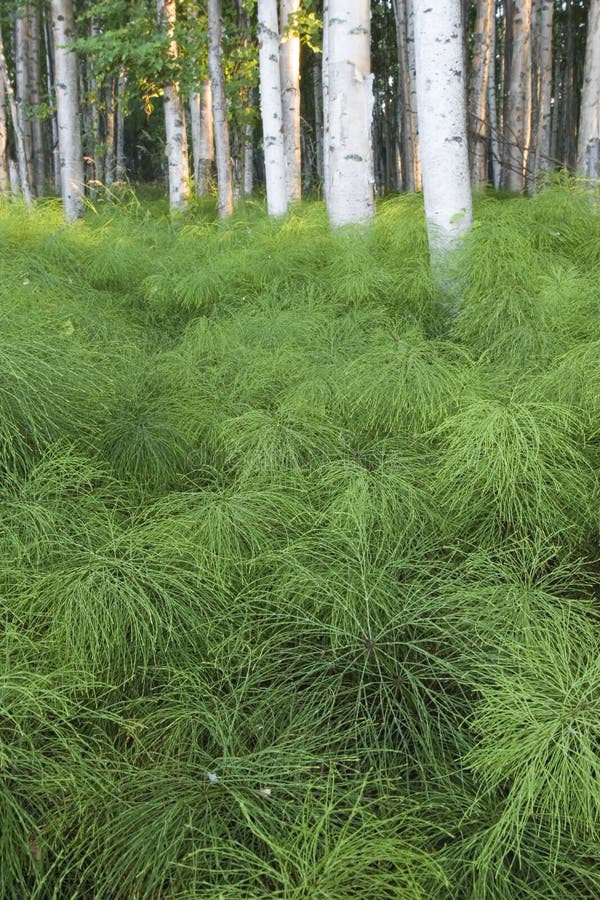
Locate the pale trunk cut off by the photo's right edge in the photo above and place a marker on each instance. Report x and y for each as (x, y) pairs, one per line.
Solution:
(588, 145)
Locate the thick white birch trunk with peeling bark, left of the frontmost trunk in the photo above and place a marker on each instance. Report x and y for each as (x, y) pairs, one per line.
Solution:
(350, 193)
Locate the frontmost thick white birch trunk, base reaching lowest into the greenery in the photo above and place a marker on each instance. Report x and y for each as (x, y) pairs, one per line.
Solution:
(442, 125)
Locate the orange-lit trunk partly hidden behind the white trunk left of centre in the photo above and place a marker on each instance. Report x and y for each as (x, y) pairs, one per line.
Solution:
(289, 63)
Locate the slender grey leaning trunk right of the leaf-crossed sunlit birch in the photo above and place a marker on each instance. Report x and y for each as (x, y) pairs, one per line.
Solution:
(221, 126)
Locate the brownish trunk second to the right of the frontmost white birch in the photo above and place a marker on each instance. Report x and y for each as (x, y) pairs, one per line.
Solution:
(518, 114)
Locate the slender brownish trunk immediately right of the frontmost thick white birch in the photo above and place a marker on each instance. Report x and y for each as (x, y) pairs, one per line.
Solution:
(479, 124)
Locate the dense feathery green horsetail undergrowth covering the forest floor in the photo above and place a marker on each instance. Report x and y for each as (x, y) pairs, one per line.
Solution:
(299, 584)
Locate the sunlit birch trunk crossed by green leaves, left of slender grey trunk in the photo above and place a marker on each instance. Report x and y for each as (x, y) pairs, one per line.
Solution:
(176, 136)
